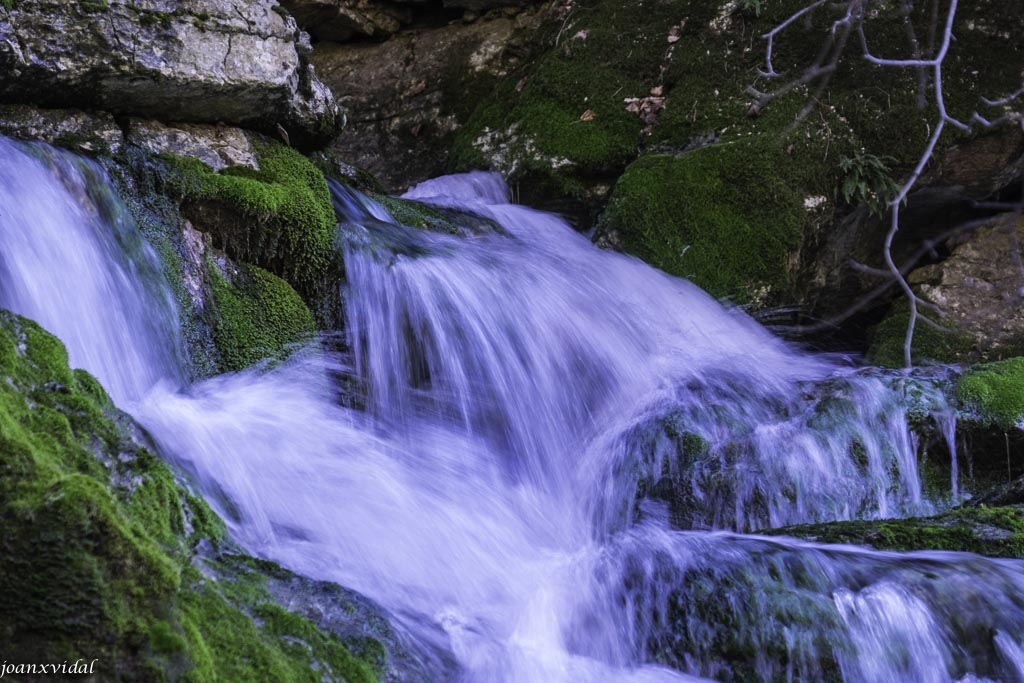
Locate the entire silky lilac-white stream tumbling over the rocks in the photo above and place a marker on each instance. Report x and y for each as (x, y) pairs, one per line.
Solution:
(536, 421)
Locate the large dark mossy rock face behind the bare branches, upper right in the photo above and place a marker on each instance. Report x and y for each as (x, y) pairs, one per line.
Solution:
(615, 82)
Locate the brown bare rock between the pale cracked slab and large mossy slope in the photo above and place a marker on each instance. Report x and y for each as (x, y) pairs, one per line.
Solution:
(407, 98)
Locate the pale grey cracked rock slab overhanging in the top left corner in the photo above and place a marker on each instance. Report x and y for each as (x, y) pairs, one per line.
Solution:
(234, 62)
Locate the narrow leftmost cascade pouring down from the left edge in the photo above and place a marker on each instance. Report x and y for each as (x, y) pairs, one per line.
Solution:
(72, 260)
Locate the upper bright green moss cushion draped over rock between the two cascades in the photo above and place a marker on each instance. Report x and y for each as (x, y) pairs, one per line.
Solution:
(280, 218)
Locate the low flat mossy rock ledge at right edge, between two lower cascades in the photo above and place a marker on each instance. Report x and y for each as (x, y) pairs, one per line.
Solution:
(994, 532)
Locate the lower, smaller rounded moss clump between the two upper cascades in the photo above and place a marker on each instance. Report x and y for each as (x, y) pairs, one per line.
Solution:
(257, 317)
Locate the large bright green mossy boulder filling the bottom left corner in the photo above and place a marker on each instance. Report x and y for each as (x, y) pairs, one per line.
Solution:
(100, 547)
